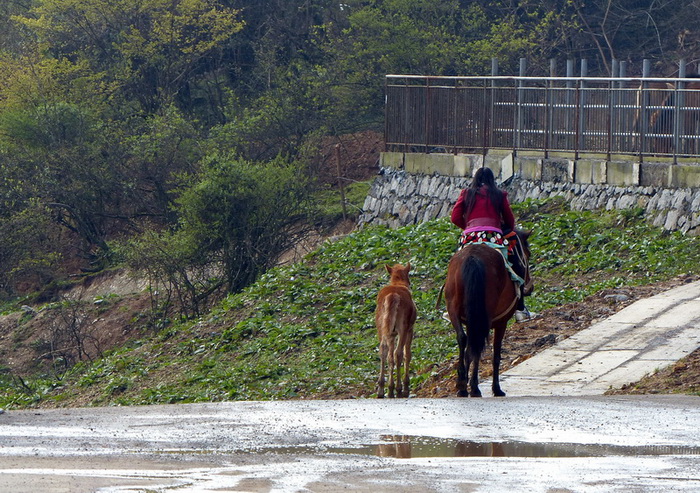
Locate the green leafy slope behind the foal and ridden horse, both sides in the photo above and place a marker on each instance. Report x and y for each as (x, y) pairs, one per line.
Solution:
(307, 330)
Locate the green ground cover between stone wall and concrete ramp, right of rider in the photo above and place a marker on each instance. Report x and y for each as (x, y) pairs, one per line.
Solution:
(579, 253)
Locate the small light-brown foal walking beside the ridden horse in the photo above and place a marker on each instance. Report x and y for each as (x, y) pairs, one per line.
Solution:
(395, 317)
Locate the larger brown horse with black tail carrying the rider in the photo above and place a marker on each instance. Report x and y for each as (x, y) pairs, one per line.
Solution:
(480, 294)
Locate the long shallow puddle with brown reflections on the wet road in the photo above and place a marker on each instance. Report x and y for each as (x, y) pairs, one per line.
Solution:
(411, 447)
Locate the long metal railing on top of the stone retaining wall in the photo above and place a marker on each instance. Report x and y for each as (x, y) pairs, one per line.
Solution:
(620, 115)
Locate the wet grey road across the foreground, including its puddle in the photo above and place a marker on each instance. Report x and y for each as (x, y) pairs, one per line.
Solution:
(534, 444)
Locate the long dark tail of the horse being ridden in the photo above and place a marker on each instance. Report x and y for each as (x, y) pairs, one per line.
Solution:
(474, 280)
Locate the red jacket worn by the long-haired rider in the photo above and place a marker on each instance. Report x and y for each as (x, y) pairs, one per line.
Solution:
(483, 216)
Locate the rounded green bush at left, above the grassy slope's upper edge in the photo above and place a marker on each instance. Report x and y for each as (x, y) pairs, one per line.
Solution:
(243, 213)
